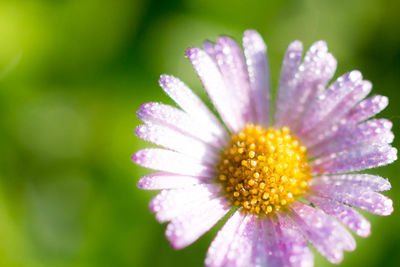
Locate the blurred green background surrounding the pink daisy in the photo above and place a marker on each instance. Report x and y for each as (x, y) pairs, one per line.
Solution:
(74, 72)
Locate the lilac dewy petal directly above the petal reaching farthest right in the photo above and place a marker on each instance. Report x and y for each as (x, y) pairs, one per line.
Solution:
(372, 131)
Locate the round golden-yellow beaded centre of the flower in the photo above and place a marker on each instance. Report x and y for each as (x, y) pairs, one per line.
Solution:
(264, 170)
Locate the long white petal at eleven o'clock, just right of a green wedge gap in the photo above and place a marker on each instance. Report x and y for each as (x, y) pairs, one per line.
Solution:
(214, 84)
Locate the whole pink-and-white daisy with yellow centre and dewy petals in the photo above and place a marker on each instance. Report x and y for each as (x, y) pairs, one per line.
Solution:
(287, 181)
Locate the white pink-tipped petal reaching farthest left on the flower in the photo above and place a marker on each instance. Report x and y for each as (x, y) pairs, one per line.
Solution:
(170, 161)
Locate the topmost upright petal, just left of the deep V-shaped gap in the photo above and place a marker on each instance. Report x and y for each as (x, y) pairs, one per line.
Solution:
(257, 67)
